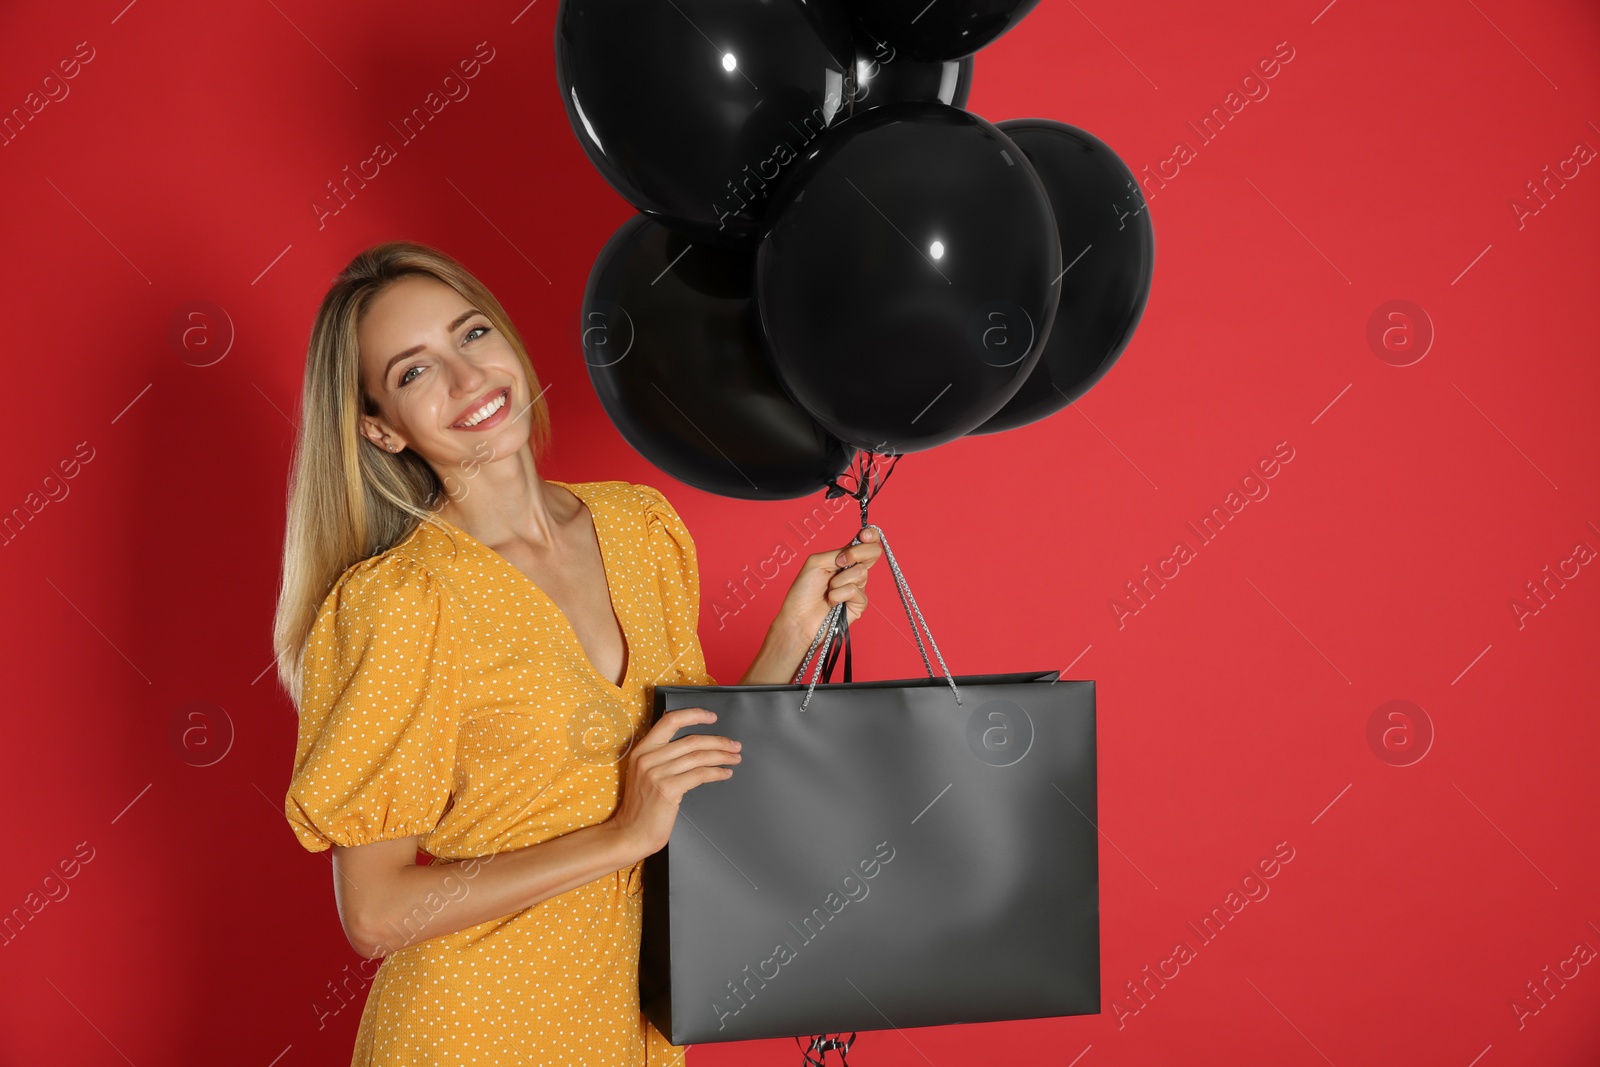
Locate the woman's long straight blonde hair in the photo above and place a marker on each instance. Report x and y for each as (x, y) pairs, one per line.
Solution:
(351, 500)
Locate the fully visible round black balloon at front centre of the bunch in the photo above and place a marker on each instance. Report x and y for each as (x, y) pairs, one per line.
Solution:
(908, 281)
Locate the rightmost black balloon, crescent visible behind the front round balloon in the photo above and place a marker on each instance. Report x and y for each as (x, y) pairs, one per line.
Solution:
(1108, 247)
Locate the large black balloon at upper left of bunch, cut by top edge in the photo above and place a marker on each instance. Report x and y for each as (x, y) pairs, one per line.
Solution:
(695, 110)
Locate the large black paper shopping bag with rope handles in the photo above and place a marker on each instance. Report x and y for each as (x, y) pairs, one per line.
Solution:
(887, 855)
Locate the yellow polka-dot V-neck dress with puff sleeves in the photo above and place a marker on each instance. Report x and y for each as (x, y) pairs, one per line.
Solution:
(447, 697)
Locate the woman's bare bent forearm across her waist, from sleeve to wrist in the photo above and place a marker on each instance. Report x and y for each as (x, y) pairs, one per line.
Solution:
(388, 901)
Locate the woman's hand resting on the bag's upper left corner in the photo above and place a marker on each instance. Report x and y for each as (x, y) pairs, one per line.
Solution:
(660, 770)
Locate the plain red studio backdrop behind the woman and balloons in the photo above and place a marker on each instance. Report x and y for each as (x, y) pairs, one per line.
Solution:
(1233, 709)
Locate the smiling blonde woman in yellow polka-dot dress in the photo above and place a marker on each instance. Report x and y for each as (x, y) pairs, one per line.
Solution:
(473, 649)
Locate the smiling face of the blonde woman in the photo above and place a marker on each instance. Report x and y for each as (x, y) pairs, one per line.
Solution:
(433, 362)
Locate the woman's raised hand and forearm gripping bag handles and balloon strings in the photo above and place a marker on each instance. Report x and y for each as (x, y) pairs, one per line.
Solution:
(825, 580)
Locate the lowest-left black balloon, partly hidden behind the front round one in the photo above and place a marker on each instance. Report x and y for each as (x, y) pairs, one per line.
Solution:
(674, 353)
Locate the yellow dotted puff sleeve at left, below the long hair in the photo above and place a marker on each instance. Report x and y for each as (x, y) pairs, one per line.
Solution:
(378, 717)
